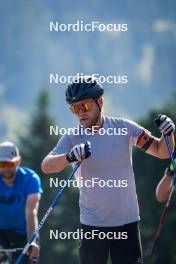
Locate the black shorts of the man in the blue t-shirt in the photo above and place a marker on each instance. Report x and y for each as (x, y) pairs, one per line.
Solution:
(10, 240)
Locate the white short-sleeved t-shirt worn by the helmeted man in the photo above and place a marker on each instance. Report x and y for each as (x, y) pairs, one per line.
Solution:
(111, 159)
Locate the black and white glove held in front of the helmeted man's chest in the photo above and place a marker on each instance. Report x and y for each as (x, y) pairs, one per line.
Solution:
(79, 152)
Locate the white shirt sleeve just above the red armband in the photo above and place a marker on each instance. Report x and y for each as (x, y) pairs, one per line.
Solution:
(134, 131)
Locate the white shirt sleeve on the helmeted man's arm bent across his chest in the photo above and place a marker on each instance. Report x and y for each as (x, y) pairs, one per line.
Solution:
(63, 146)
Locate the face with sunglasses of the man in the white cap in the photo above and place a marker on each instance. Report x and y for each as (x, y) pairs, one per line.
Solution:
(7, 169)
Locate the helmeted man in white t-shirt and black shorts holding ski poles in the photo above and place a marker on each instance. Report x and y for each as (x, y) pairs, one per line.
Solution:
(109, 211)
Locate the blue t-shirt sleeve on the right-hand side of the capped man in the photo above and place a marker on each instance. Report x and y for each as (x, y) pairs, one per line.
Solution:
(33, 185)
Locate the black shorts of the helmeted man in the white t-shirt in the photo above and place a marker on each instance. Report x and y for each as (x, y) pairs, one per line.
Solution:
(123, 246)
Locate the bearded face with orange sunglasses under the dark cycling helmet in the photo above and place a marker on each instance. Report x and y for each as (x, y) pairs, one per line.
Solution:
(87, 111)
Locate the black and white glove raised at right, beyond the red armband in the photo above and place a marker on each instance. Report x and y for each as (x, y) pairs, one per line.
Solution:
(165, 124)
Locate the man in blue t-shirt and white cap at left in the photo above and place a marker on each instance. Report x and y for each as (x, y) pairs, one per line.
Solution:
(20, 193)
